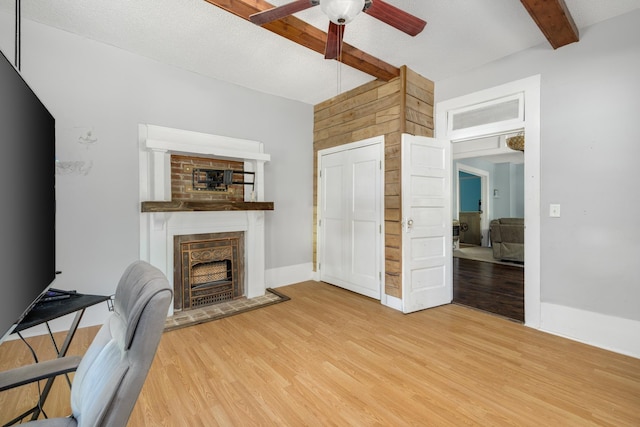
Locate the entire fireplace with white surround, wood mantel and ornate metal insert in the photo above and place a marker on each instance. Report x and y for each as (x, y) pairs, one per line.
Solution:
(163, 219)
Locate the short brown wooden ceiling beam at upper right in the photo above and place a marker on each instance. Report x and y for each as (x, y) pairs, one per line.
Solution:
(554, 20)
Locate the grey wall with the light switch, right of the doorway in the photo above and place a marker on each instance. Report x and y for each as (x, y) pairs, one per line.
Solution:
(589, 156)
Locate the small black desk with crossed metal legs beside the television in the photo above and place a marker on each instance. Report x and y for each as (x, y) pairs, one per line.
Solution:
(44, 312)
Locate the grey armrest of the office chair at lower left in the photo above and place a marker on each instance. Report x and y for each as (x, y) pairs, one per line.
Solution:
(38, 371)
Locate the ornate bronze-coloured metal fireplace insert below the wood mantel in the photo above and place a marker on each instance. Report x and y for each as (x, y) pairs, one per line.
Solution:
(209, 269)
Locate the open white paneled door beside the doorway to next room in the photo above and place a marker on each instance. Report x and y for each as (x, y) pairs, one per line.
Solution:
(427, 279)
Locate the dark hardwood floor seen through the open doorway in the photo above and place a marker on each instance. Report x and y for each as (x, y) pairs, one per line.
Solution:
(494, 288)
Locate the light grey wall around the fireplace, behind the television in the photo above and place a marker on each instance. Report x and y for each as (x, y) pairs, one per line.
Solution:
(88, 85)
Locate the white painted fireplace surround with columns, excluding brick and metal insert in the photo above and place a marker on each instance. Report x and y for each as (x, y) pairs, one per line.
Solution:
(159, 227)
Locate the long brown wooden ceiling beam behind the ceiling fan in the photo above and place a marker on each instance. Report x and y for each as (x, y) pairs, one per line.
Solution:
(309, 36)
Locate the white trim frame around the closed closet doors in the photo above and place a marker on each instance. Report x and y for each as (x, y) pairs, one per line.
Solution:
(376, 140)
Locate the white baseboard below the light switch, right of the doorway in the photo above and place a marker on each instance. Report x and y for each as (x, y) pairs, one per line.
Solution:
(600, 330)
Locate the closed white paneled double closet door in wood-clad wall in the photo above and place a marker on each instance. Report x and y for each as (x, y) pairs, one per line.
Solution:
(351, 219)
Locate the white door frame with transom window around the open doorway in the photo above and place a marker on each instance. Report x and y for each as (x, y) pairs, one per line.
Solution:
(482, 108)
